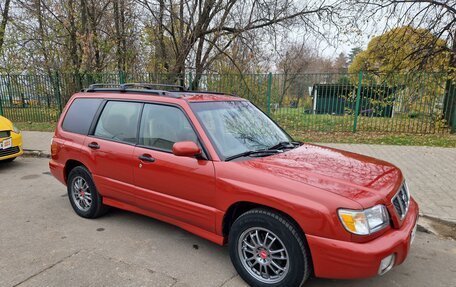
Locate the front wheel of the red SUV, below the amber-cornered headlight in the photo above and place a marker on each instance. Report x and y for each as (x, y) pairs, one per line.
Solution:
(296, 268)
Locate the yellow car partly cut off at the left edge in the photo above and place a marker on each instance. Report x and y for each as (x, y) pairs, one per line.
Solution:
(10, 140)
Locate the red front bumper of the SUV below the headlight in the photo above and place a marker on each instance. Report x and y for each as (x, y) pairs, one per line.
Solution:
(348, 260)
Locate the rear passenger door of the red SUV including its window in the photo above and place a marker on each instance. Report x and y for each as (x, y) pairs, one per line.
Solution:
(110, 149)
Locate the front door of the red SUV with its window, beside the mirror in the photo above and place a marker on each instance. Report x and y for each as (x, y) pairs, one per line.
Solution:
(181, 188)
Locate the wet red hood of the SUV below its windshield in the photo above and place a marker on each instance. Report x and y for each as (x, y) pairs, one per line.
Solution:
(363, 179)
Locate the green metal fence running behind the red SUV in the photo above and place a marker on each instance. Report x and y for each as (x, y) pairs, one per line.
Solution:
(399, 103)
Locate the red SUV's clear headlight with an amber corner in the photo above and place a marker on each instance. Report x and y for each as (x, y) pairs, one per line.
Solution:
(364, 222)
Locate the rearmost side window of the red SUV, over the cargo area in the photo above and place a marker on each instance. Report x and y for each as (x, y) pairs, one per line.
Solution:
(80, 115)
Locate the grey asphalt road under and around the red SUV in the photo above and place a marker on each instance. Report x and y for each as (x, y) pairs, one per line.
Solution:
(44, 243)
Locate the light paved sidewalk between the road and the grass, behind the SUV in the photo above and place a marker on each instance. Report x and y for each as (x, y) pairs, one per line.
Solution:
(430, 171)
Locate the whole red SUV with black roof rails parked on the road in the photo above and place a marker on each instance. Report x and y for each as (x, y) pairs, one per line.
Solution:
(216, 166)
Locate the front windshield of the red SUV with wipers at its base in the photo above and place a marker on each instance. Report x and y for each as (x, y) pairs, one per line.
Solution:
(235, 127)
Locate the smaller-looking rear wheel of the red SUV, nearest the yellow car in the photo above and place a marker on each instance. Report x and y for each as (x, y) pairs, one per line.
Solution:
(83, 195)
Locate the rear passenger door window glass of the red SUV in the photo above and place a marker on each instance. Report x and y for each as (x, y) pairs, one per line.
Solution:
(119, 121)
